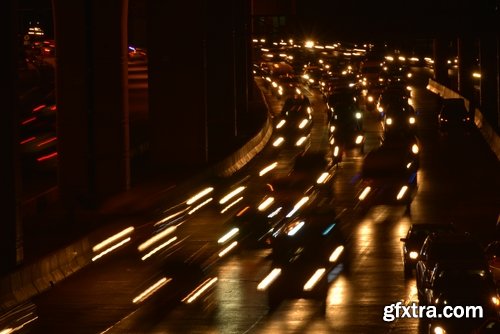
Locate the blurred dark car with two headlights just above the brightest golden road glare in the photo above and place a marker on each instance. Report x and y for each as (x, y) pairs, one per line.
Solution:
(389, 173)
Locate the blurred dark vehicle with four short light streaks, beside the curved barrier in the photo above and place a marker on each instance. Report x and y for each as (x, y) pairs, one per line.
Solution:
(293, 127)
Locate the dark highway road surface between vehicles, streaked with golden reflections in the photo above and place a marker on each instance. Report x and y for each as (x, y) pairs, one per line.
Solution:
(458, 183)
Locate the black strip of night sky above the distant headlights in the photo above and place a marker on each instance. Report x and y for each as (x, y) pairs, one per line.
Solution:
(376, 19)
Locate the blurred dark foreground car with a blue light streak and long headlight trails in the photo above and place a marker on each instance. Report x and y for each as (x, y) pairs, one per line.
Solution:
(305, 256)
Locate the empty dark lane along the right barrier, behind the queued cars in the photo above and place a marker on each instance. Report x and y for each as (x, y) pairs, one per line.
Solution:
(458, 179)
